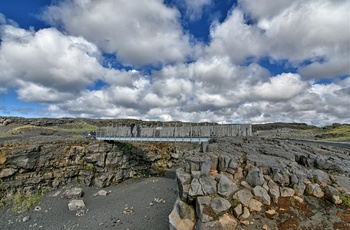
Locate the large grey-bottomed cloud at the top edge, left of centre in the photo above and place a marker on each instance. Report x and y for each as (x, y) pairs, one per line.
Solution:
(139, 32)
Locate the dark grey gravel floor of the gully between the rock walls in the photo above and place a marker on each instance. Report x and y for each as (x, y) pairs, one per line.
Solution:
(143, 198)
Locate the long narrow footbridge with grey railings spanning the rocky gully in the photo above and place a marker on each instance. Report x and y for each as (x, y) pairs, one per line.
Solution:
(183, 133)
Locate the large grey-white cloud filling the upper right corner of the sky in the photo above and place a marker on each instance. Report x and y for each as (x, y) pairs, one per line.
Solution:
(312, 35)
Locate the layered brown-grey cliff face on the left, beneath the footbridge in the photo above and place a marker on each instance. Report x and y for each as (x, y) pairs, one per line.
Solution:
(29, 167)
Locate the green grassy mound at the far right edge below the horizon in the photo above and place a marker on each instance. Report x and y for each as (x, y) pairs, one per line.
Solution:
(335, 133)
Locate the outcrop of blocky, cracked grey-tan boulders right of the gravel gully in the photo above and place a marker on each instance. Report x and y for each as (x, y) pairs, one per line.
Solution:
(239, 178)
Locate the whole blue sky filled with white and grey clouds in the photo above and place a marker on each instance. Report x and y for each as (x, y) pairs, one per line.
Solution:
(244, 61)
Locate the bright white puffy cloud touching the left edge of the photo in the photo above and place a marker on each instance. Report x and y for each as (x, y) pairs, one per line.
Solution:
(46, 65)
